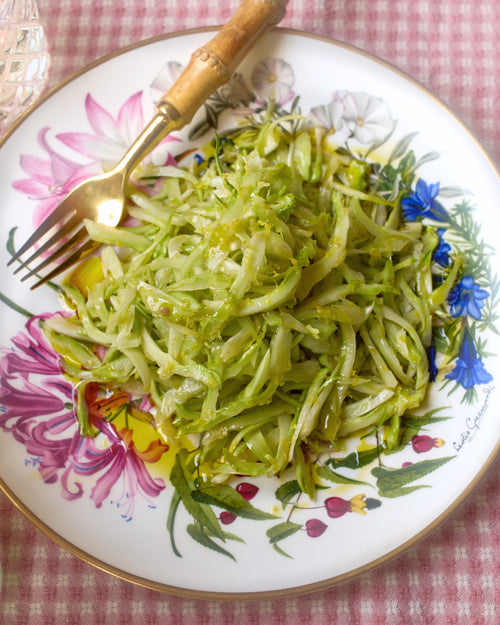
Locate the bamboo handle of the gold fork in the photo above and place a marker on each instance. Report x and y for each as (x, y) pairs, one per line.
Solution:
(213, 64)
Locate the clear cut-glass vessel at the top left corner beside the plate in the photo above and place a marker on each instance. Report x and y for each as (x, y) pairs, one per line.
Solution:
(24, 58)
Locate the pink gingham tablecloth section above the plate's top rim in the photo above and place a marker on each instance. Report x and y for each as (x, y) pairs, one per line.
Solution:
(451, 46)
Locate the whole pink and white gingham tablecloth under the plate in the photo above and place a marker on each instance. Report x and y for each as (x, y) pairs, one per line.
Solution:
(451, 577)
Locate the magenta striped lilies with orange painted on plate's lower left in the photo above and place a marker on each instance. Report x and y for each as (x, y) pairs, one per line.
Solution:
(36, 407)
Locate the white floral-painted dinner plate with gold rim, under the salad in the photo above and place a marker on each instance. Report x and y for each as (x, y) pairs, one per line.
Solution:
(108, 501)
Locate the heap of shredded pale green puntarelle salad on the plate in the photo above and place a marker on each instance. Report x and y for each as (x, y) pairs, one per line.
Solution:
(269, 300)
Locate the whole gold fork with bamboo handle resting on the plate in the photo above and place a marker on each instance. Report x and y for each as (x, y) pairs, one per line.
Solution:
(63, 235)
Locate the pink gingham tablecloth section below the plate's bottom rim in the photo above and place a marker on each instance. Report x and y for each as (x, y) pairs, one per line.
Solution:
(450, 578)
